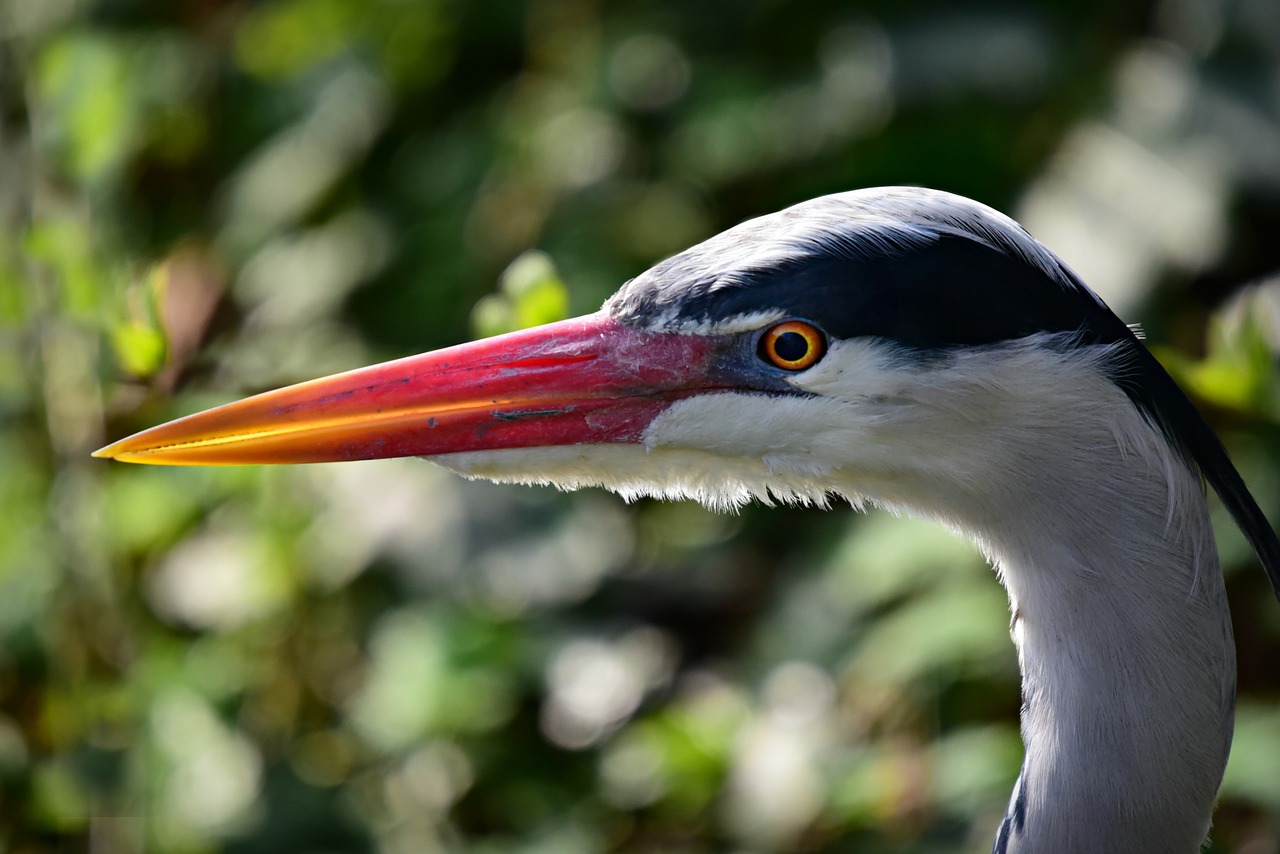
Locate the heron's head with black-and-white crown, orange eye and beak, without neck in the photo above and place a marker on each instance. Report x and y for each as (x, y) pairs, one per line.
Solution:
(861, 344)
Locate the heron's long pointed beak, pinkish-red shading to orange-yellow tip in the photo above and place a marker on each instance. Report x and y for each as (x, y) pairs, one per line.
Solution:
(587, 381)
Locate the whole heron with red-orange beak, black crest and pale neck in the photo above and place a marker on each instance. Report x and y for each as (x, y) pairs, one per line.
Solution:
(899, 348)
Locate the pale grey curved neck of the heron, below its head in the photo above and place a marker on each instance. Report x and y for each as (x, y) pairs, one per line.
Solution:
(1124, 642)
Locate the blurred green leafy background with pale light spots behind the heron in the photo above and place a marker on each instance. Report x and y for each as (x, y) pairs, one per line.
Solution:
(203, 199)
